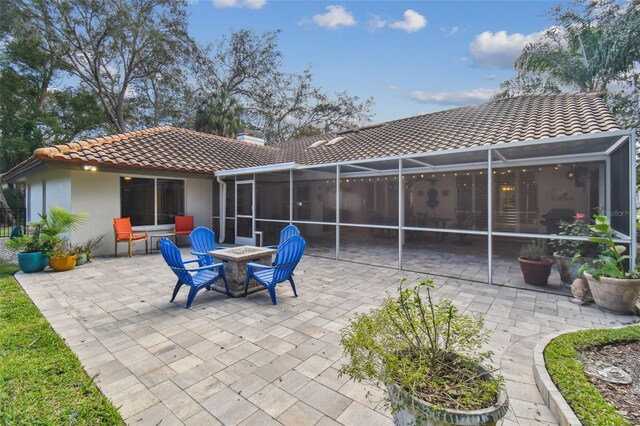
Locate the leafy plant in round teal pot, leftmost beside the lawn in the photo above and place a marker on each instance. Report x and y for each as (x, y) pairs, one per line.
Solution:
(33, 249)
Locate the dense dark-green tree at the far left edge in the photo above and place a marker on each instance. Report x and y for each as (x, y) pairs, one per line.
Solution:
(32, 113)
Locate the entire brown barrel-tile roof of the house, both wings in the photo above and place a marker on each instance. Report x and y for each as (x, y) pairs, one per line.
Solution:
(514, 119)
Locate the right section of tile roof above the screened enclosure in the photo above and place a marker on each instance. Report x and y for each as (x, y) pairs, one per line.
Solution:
(514, 119)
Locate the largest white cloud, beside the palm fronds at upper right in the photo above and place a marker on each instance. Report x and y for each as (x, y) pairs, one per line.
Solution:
(499, 49)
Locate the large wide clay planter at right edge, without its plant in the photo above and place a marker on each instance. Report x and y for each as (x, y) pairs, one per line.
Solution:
(614, 294)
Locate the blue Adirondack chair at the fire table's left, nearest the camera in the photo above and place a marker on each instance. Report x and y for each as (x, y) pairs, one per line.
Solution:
(196, 278)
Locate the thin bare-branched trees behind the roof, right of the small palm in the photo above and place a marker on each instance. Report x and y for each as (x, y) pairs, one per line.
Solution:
(248, 66)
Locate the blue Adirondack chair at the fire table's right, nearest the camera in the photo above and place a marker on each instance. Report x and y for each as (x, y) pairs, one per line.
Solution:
(289, 254)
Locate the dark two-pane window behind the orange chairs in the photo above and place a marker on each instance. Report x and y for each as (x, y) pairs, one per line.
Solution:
(149, 201)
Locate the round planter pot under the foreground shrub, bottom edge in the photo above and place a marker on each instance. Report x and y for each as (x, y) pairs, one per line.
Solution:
(421, 412)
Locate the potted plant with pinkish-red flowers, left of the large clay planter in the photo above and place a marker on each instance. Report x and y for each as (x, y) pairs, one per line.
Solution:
(564, 251)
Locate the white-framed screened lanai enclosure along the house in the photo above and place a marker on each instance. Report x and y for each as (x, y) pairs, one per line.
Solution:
(462, 213)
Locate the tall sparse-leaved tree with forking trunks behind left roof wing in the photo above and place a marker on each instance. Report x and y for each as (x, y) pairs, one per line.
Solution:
(117, 47)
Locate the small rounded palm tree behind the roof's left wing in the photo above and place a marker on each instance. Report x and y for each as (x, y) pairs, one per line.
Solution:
(220, 115)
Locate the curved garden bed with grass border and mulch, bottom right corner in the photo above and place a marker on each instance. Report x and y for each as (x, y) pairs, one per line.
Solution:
(566, 358)
